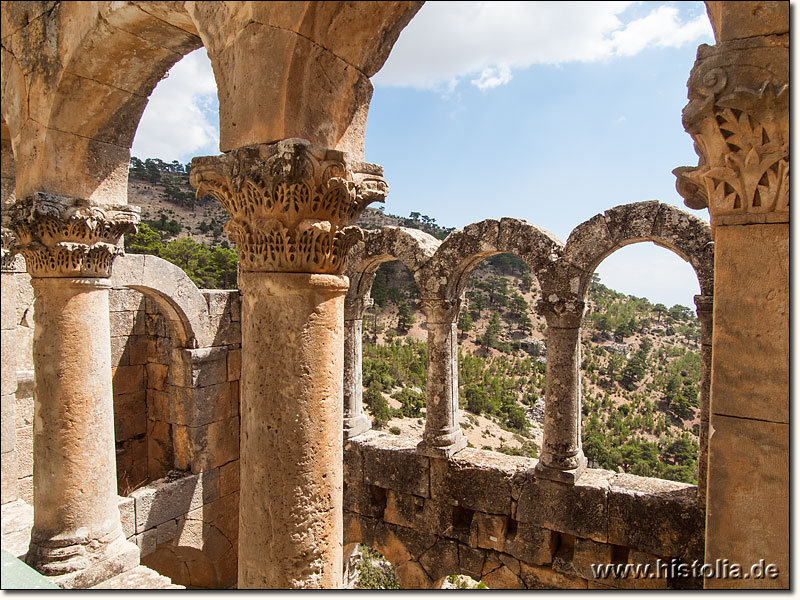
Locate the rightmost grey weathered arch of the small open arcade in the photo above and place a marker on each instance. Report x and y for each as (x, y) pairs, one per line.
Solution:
(665, 225)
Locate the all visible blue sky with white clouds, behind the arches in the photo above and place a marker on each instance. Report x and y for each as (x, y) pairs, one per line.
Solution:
(549, 112)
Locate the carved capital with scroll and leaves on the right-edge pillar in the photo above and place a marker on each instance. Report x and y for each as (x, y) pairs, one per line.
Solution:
(738, 115)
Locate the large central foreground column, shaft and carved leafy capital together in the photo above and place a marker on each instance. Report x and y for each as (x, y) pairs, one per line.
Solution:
(291, 207)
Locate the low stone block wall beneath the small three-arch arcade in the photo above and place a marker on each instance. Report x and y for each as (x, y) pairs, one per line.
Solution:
(487, 515)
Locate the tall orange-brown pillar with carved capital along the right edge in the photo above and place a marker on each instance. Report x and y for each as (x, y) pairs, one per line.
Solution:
(738, 116)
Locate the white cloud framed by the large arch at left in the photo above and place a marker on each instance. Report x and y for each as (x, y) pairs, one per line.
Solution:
(180, 120)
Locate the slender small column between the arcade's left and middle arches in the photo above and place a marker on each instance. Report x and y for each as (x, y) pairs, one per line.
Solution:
(442, 435)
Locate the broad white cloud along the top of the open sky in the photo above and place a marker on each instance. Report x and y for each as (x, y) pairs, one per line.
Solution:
(449, 41)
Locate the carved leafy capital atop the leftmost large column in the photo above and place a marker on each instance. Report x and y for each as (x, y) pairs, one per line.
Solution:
(67, 237)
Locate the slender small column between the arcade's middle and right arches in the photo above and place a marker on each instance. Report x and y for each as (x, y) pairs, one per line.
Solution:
(561, 458)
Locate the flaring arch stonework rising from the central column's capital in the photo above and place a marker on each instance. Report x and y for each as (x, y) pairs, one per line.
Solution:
(313, 59)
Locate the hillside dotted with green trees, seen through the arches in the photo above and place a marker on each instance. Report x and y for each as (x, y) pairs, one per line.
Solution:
(640, 361)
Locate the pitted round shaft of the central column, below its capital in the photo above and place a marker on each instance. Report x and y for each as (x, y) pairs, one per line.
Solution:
(290, 519)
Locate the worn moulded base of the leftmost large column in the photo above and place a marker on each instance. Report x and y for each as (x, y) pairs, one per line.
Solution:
(80, 566)
